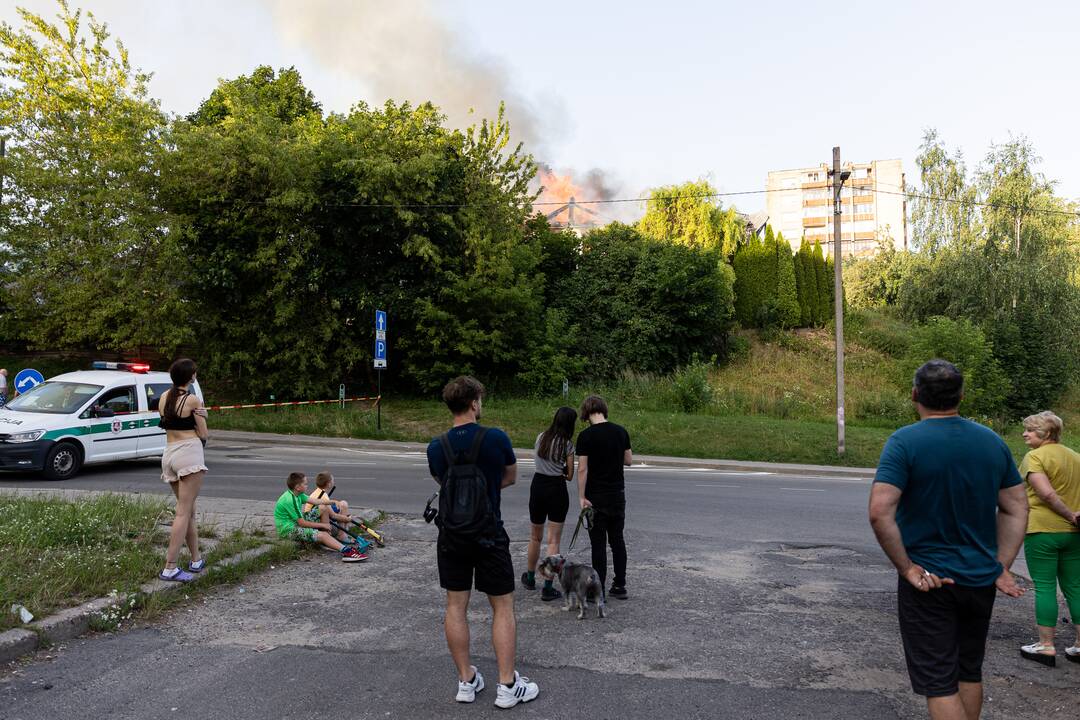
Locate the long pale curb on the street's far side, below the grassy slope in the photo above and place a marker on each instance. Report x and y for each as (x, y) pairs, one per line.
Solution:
(744, 466)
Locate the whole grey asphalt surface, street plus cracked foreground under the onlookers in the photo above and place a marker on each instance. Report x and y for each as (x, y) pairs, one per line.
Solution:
(753, 595)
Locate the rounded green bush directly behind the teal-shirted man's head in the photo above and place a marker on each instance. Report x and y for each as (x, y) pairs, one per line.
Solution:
(962, 343)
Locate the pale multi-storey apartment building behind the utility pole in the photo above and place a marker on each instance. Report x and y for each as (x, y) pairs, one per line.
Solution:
(800, 205)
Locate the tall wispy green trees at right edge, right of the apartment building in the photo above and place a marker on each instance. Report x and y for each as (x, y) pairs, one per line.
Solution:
(1008, 267)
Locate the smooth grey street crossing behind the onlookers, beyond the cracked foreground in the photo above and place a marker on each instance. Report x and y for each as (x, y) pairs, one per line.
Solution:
(697, 500)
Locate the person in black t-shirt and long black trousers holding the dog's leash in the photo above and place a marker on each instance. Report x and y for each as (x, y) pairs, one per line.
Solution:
(603, 452)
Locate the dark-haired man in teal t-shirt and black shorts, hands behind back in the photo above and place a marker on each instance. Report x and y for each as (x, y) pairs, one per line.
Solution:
(949, 509)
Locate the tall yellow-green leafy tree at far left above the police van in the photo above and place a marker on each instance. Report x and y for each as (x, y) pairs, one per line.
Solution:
(92, 260)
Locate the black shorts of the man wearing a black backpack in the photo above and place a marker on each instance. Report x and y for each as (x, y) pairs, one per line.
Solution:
(461, 561)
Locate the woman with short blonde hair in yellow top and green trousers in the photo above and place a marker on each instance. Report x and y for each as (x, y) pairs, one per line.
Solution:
(1052, 546)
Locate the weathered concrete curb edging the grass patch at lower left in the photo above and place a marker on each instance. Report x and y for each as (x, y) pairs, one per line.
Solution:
(75, 622)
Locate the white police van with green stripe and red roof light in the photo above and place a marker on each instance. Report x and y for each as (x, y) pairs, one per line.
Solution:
(85, 418)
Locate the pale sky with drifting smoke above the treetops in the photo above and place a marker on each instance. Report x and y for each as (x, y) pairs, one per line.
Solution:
(652, 93)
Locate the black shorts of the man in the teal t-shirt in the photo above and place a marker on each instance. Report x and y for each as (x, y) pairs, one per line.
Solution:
(944, 633)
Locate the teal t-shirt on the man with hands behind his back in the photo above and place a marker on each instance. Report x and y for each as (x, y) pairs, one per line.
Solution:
(950, 471)
